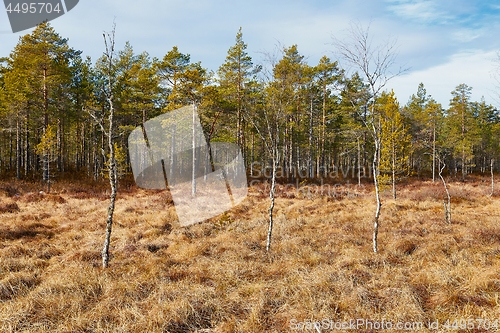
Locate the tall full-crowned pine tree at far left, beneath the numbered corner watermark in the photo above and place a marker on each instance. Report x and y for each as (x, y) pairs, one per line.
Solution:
(38, 84)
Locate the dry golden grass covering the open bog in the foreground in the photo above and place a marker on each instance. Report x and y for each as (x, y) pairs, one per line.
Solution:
(216, 277)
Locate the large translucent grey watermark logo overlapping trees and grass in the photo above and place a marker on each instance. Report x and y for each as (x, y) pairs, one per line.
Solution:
(205, 179)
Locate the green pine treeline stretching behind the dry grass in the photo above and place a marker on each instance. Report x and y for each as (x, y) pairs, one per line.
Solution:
(52, 101)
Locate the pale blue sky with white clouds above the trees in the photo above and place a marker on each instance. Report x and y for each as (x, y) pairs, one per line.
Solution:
(442, 43)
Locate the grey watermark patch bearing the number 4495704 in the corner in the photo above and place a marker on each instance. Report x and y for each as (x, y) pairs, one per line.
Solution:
(25, 15)
